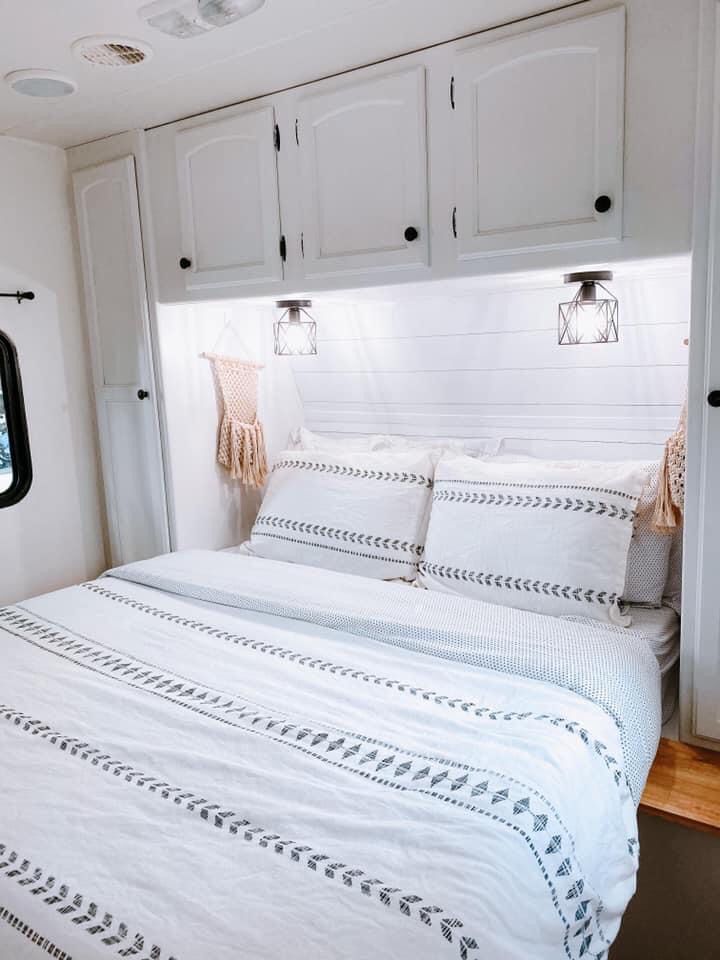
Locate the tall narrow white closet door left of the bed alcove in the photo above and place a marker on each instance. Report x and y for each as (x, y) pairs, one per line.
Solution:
(116, 305)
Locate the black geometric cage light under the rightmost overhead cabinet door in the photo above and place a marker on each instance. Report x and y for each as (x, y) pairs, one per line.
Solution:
(592, 315)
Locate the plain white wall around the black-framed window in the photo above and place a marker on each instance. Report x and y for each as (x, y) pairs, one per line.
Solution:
(54, 537)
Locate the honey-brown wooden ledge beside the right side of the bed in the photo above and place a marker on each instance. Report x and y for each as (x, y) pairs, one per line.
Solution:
(684, 786)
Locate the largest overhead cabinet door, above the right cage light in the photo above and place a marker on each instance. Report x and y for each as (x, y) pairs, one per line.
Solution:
(539, 137)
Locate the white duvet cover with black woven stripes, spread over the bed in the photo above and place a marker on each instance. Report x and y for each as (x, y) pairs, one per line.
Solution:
(214, 757)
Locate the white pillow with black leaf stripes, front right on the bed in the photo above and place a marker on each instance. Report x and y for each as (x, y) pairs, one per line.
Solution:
(552, 537)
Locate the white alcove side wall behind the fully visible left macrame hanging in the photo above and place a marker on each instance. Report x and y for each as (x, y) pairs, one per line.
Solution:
(208, 509)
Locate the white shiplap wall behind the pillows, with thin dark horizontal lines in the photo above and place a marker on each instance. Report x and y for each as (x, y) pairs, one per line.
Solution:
(485, 363)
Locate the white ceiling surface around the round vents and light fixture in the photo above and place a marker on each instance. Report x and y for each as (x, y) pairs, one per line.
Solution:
(285, 43)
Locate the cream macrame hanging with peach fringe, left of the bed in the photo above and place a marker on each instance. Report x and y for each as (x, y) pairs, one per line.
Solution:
(241, 441)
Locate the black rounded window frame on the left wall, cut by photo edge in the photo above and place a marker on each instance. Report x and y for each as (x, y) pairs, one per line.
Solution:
(14, 406)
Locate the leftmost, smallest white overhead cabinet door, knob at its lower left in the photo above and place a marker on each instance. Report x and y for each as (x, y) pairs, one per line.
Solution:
(229, 205)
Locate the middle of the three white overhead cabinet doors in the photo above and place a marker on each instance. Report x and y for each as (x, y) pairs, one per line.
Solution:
(363, 160)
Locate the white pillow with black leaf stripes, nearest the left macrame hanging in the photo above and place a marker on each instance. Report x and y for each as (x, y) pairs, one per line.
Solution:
(363, 513)
